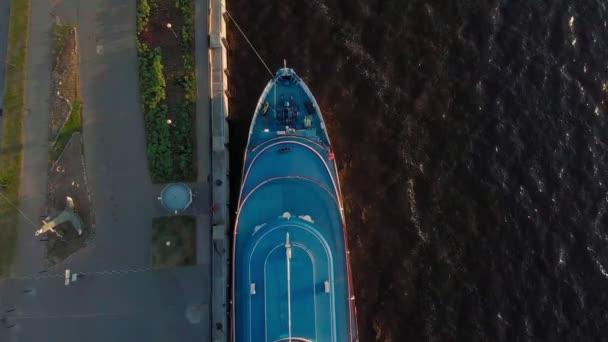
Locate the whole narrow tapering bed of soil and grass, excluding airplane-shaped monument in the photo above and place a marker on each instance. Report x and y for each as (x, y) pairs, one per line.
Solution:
(66, 175)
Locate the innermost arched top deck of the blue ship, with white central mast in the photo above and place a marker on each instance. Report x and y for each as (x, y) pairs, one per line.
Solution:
(270, 266)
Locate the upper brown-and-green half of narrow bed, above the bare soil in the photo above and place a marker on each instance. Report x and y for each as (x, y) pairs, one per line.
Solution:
(64, 78)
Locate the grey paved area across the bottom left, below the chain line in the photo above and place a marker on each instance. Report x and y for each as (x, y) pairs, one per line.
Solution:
(166, 305)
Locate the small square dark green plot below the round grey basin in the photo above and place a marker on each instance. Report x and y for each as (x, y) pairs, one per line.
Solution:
(174, 241)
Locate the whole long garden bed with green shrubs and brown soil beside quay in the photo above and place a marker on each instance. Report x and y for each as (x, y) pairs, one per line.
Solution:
(168, 88)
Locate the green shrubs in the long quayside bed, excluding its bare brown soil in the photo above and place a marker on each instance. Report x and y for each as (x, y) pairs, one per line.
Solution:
(169, 147)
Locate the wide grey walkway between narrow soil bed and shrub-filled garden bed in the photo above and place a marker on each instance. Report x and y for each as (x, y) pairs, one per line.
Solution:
(123, 195)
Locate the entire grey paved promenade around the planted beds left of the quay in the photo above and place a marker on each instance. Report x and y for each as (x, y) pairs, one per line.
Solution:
(138, 304)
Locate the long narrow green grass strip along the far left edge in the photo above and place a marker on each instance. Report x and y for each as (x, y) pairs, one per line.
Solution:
(11, 150)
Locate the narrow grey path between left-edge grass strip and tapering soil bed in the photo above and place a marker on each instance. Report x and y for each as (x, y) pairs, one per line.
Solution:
(32, 199)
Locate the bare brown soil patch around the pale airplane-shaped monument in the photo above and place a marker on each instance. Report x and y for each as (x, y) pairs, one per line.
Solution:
(68, 178)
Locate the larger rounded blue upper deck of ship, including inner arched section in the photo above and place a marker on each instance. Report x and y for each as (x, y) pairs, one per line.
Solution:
(309, 214)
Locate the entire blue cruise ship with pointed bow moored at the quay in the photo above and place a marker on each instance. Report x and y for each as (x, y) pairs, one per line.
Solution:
(291, 277)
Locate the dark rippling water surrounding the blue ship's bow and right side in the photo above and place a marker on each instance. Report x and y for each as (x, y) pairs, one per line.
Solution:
(472, 142)
